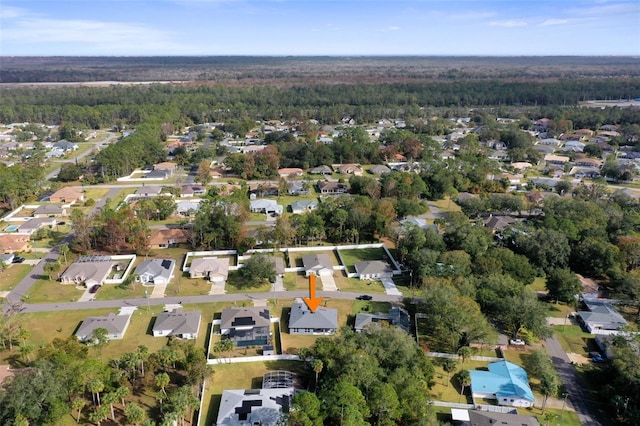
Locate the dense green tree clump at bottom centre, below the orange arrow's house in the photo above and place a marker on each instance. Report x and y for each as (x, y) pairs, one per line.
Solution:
(376, 377)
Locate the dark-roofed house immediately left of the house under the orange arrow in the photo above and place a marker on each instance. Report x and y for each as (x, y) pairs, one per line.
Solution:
(247, 326)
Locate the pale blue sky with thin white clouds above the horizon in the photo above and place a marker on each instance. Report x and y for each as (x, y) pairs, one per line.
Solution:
(319, 27)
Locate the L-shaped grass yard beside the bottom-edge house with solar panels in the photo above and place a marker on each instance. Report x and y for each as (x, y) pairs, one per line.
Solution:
(240, 376)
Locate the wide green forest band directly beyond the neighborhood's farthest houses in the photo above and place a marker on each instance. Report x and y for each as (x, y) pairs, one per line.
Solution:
(90, 107)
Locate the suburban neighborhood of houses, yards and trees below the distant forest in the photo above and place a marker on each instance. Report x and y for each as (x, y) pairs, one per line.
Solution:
(466, 266)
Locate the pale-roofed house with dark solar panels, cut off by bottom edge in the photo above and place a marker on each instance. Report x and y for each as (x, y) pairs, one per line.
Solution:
(251, 407)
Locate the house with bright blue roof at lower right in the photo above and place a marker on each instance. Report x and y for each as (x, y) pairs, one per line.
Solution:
(505, 381)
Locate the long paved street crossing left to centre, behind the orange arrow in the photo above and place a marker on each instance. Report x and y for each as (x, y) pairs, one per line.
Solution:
(286, 295)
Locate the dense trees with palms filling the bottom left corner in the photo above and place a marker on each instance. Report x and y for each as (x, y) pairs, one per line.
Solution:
(66, 377)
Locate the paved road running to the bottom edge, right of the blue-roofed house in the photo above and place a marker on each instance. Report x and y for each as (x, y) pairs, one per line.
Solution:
(577, 397)
